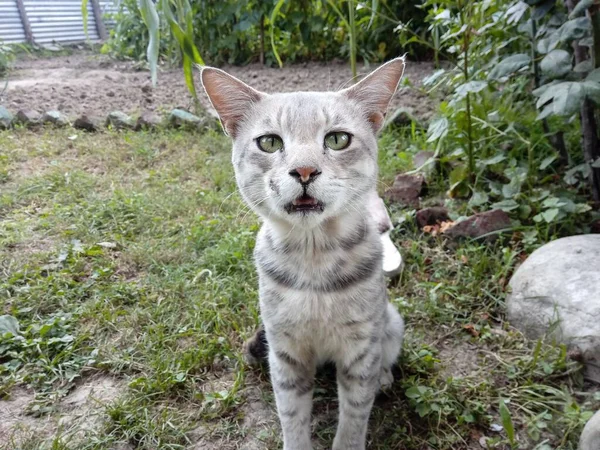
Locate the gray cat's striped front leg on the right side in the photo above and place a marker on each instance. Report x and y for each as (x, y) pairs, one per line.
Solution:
(358, 381)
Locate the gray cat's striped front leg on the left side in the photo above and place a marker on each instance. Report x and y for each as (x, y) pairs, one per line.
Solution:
(293, 380)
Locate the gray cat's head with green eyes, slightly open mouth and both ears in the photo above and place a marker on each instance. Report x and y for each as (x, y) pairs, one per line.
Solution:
(304, 157)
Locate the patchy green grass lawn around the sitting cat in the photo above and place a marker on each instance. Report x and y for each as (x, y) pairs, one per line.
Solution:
(127, 256)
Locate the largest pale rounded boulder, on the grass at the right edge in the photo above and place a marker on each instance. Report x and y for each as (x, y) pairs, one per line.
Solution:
(556, 292)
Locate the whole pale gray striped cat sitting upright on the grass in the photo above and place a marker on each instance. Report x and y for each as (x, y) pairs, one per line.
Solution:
(306, 162)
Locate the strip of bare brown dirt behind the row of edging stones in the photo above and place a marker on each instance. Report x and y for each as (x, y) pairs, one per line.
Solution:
(94, 84)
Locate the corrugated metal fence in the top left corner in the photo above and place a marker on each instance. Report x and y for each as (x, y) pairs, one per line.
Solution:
(46, 21)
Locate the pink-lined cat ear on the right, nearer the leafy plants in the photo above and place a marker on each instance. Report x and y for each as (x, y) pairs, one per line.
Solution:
(375, 91)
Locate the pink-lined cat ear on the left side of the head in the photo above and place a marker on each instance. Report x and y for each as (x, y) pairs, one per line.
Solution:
(231, 97)
